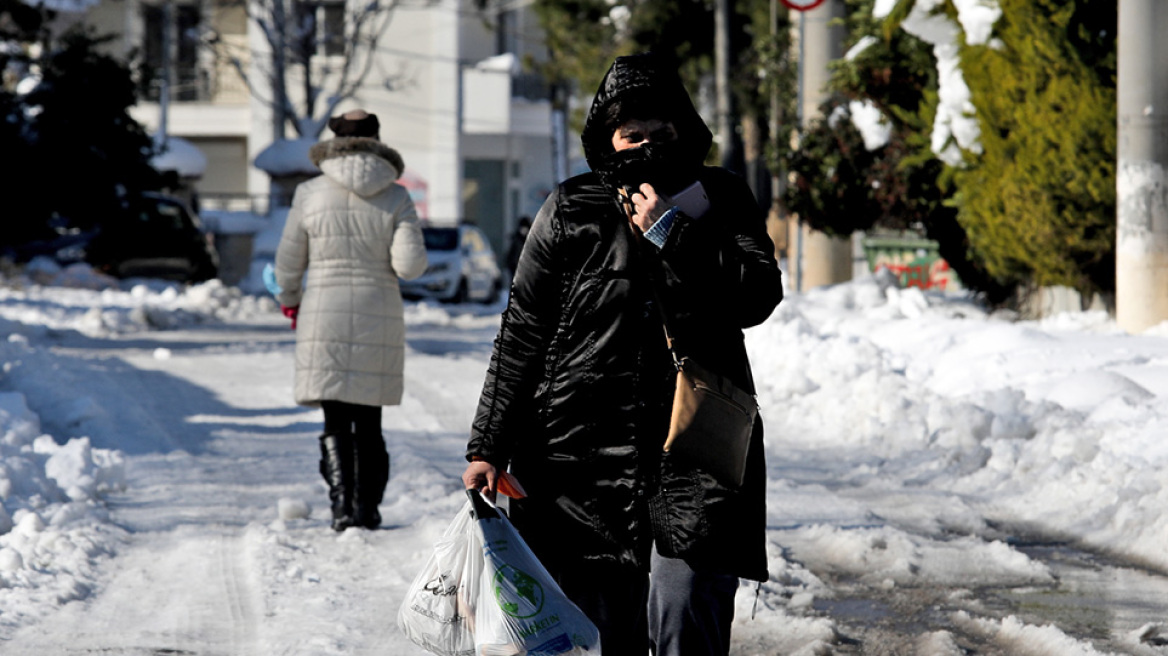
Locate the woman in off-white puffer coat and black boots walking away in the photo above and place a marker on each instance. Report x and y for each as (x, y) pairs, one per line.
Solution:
(356, 233)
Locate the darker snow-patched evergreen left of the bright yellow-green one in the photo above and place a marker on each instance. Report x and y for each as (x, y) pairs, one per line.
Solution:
(843, 183)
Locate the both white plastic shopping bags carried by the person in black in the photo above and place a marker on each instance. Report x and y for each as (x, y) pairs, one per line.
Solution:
(483, 592)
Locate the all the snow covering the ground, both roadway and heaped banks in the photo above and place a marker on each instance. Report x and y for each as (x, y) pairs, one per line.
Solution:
(159, 487)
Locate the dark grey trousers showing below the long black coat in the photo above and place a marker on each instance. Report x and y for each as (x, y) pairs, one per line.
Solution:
(690, 613)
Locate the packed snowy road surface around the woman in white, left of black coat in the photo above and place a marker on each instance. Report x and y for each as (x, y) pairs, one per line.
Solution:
(203, 563)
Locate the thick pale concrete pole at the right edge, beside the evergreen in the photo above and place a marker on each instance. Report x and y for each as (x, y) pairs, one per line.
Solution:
(1142, 176)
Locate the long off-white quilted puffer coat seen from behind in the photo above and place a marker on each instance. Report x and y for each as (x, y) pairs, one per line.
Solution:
(356, 232)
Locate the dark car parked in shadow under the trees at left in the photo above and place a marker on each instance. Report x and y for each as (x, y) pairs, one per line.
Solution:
(154, 236)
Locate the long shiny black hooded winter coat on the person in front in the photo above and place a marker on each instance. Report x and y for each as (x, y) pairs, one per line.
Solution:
(579, 390)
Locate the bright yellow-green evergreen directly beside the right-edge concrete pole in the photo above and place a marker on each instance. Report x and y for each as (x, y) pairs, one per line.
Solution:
(1040, 203)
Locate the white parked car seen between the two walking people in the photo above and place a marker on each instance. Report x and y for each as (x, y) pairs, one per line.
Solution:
(463, 267)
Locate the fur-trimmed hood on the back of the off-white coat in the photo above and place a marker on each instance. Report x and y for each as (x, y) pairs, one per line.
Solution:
(360, 164)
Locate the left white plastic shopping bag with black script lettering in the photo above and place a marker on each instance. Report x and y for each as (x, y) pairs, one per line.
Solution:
(437, 613)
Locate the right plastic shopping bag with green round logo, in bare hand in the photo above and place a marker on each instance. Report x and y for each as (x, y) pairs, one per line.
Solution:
(520, 609)
